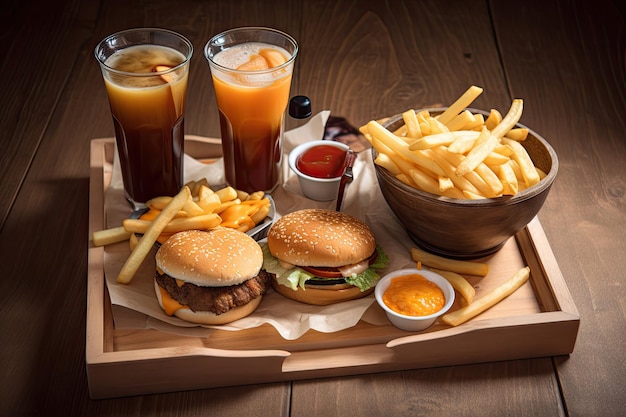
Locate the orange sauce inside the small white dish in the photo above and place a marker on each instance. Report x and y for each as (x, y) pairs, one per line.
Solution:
(413, 295)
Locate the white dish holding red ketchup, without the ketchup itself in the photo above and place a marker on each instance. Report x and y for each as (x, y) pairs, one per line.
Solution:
(319, 189)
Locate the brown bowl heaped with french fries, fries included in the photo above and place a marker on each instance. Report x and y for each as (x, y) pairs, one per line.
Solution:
(462, 181)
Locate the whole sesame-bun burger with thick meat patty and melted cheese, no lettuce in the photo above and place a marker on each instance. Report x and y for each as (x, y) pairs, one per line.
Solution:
(210, 277)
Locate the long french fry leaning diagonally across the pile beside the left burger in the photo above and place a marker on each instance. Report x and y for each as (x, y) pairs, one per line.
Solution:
(137, 256)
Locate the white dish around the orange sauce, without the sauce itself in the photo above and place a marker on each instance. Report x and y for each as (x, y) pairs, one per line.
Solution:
(414, 323)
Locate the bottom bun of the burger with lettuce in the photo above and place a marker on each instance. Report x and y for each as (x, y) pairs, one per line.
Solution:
(322, 295)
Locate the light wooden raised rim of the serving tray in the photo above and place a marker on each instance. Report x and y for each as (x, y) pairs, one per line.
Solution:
(105, 365)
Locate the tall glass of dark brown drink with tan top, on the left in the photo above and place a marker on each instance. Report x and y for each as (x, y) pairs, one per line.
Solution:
(145, 72)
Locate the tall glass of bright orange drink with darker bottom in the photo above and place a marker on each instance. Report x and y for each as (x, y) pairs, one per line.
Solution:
(251, 69)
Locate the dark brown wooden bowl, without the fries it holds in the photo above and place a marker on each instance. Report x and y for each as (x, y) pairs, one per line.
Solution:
(467, 229)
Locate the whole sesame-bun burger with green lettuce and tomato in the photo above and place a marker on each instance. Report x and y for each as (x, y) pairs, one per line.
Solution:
(322, 257)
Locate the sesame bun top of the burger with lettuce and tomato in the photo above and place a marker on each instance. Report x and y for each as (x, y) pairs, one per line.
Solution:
(317, 237)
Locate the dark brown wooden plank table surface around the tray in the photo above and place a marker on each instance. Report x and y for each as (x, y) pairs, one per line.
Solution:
(362, 60)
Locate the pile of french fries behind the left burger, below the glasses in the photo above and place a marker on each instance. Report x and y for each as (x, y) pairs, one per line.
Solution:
(195, 207)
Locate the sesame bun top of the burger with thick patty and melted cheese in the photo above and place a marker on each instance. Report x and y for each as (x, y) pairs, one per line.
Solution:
(215, 258)
